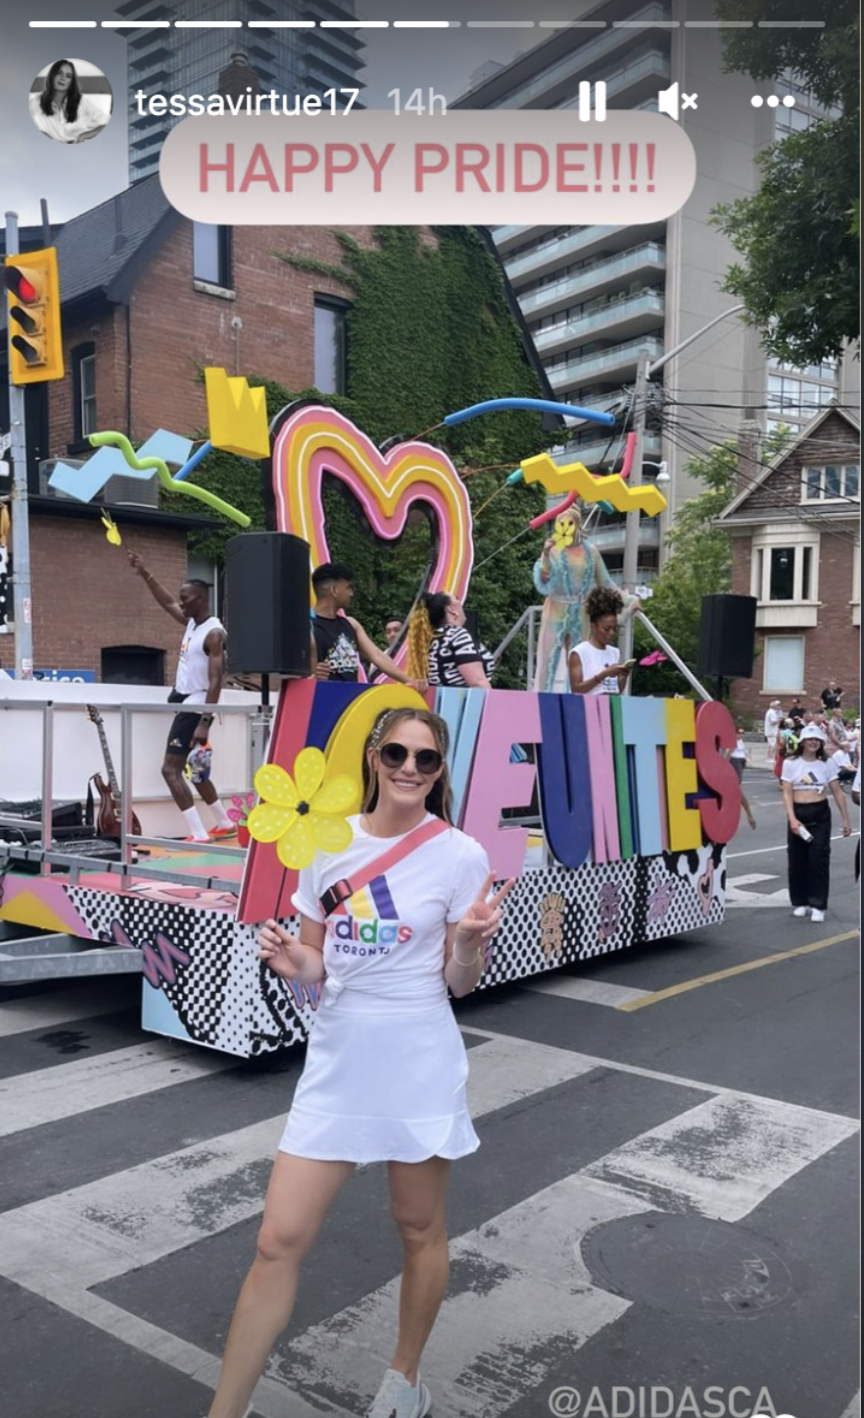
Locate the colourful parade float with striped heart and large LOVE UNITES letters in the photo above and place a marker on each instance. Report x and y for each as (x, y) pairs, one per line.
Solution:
(611, 812)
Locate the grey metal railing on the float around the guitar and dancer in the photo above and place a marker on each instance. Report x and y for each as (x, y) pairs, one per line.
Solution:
(259, 715)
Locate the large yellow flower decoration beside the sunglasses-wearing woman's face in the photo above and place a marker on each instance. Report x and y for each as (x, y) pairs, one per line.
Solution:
(304, 815)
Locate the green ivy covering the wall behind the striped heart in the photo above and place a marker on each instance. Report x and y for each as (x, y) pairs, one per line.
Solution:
(429, 333)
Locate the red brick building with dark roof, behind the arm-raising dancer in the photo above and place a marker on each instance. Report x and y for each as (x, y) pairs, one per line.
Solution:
(148, 300)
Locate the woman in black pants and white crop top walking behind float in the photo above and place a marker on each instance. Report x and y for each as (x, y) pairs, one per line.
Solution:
(808, 776)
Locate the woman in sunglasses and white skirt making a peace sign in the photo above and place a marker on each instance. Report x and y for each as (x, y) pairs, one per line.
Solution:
(389, 925)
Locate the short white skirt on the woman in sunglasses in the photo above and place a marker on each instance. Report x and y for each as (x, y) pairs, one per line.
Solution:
(385, 1081)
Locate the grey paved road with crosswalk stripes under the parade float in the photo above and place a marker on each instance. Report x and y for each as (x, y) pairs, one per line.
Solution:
(662, 1219)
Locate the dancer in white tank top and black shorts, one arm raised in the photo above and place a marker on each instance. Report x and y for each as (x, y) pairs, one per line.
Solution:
(201, 673)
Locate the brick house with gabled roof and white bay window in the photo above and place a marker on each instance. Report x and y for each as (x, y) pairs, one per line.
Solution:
(795, 530)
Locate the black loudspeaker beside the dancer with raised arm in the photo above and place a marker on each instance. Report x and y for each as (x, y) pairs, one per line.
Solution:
(267, 605)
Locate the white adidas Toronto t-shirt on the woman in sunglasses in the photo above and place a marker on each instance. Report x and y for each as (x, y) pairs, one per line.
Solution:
(389, 937)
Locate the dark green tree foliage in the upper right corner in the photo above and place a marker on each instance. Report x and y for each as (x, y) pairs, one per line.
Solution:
(799, 233)
